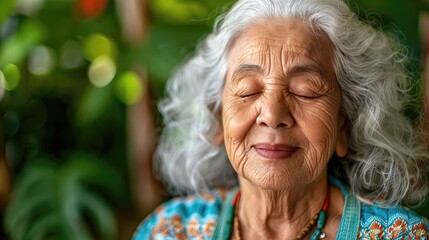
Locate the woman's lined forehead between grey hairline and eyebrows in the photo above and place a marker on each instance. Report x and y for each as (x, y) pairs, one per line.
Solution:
(287, 37)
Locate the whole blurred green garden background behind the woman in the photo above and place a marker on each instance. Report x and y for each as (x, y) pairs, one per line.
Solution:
(79, 82)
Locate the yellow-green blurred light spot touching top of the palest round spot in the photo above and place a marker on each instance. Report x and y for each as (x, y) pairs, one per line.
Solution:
(97, 44)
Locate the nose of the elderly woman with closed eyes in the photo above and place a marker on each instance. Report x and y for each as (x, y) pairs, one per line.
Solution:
(274, 112)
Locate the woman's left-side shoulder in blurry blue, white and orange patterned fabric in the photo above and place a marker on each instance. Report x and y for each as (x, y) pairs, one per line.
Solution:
(184, 217)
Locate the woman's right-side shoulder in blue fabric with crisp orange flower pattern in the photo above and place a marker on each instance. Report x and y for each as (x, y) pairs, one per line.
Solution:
(392, 223)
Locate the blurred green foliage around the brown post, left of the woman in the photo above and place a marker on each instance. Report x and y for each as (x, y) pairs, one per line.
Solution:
(59, 101)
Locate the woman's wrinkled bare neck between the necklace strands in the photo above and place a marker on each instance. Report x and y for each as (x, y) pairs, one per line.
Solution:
(279, 214)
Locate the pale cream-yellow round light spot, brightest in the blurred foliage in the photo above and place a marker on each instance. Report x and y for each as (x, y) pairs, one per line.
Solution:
(102, 71)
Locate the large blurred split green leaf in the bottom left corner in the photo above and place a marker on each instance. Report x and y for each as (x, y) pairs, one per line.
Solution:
(64, 202)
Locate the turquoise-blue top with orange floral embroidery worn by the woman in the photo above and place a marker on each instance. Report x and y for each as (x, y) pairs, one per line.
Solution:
(210, 216)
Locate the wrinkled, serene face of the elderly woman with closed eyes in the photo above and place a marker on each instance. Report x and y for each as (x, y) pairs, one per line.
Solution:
(281, 105)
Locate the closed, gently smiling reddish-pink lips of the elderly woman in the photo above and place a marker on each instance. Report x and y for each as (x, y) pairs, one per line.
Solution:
(274, 151)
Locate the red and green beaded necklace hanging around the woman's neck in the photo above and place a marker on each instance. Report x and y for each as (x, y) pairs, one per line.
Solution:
(320, 218)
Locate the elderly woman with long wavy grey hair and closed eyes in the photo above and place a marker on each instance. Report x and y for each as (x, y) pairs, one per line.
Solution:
(288, 124)
